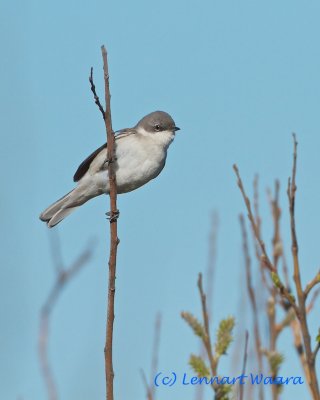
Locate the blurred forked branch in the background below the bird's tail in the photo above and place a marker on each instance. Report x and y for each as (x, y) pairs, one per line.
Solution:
(63, 276)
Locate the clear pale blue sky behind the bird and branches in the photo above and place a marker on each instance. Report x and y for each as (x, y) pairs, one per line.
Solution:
(238, 78)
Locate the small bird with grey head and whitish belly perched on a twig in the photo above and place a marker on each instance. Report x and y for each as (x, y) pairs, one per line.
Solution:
(140, 155)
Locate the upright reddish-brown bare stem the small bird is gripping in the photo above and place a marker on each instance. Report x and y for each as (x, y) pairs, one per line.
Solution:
(114, 241)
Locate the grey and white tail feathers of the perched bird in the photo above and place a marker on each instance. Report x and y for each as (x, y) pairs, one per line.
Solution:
(63, 207)
